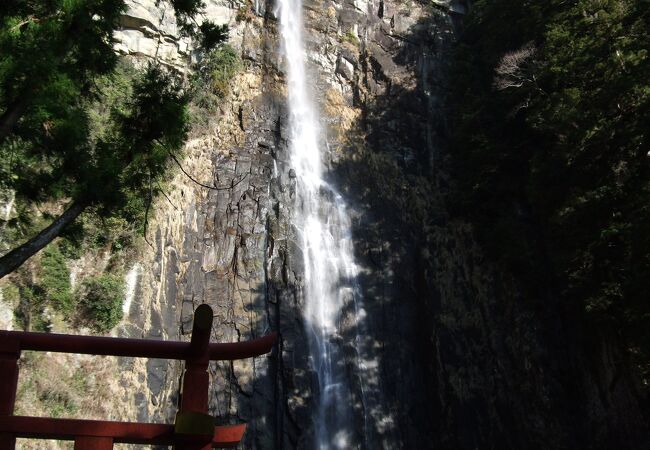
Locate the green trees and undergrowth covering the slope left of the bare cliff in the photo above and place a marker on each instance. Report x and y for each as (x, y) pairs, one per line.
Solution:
(87, 140)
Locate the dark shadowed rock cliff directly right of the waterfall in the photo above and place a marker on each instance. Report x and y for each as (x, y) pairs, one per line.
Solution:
(469, 358)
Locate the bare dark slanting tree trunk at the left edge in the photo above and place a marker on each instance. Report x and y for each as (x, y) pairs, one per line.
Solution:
(15, 258)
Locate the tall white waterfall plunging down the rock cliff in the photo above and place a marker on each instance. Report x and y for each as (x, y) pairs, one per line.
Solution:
(323, 225)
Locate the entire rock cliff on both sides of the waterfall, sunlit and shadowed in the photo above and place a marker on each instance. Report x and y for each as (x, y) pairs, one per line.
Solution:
(458, 361)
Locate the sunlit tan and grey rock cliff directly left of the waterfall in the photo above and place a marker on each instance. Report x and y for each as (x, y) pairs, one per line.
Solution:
(225, 245)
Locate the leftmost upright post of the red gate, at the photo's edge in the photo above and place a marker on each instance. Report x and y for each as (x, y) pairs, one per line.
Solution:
(9, 355)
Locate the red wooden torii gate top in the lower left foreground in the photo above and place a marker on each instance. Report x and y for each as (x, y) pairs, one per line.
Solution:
(193, 429)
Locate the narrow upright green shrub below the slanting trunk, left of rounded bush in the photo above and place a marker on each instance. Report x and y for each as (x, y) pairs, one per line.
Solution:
(55, 281)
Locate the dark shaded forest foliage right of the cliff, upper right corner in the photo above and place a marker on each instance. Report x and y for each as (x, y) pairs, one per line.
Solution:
(551, 153)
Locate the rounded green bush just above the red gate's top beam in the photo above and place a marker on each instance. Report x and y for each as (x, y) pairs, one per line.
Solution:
(100, 301)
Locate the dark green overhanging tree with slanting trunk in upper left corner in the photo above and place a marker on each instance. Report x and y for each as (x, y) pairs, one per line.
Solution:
(53, 56)
